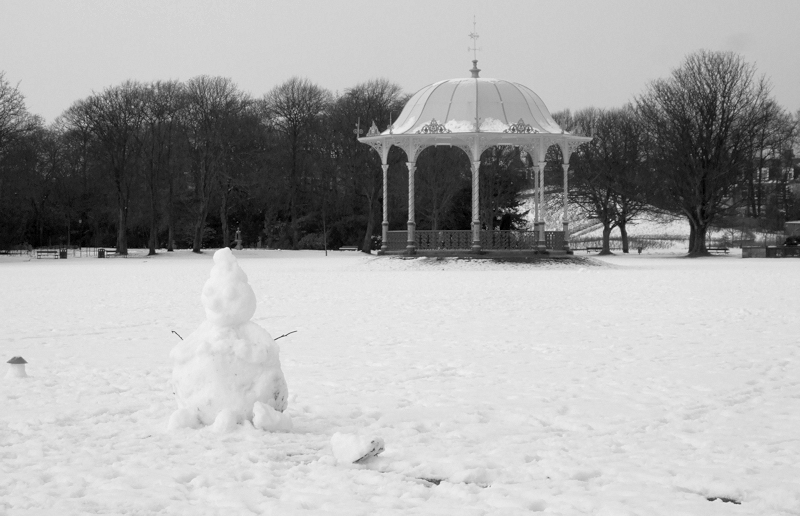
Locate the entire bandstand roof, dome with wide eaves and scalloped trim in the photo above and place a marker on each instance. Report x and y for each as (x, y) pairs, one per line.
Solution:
(473, 114)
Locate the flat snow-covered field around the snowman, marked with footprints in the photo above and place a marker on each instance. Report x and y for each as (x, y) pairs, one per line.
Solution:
(627, 385)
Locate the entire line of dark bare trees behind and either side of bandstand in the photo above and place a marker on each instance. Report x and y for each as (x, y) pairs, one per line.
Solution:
(184, 164)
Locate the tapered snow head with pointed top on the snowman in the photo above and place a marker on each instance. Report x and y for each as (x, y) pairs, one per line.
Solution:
(227, 297)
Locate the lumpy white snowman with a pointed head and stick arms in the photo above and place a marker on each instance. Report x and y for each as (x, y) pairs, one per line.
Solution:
(228, 371)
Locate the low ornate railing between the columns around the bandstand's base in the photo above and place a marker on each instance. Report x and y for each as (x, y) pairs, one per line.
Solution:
(461, 240)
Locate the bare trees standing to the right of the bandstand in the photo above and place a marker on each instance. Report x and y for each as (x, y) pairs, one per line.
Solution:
(708, 143)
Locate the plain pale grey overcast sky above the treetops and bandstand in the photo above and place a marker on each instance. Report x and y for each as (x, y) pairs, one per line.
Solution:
(574, 54)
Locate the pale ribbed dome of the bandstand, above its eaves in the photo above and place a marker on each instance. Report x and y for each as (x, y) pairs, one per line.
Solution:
(502, 107)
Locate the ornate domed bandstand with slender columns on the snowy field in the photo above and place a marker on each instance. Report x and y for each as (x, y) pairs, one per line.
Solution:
(474, 114)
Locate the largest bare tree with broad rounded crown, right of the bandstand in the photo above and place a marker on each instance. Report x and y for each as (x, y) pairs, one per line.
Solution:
(701, 125)
